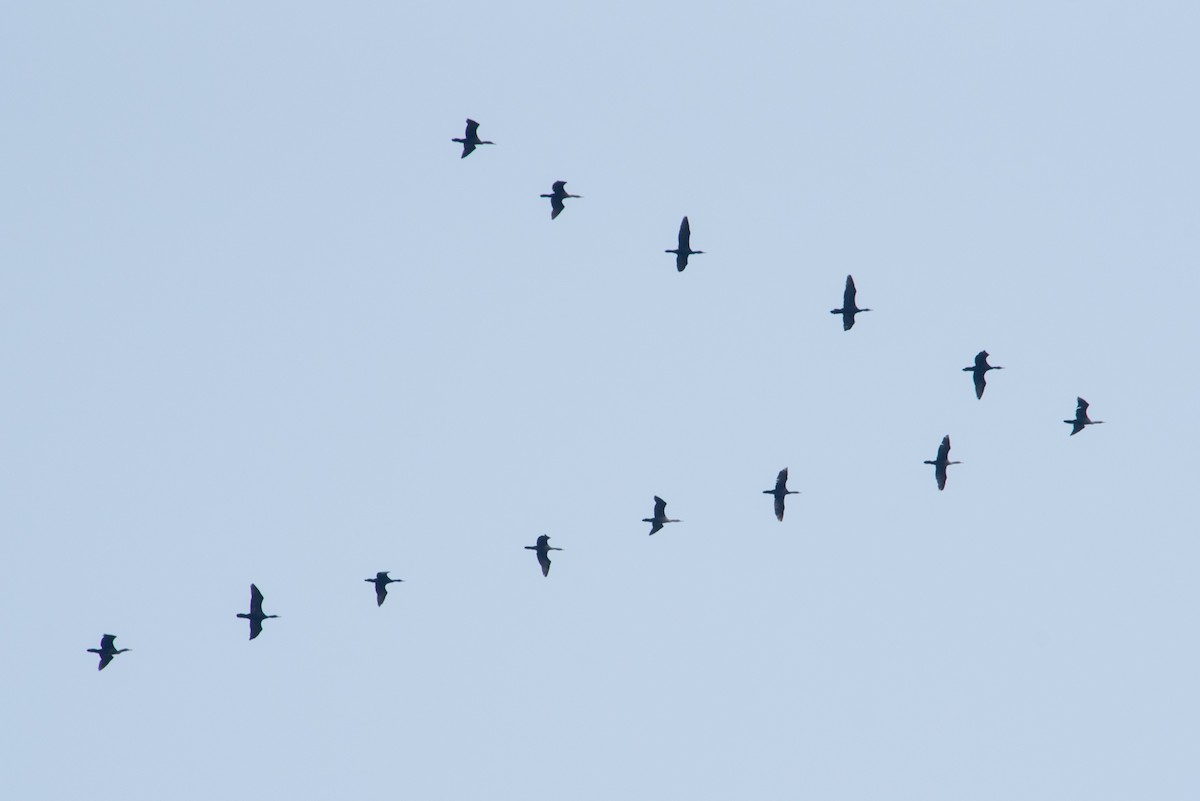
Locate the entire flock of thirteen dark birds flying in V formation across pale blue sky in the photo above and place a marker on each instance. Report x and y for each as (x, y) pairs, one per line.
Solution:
(557, 196)
